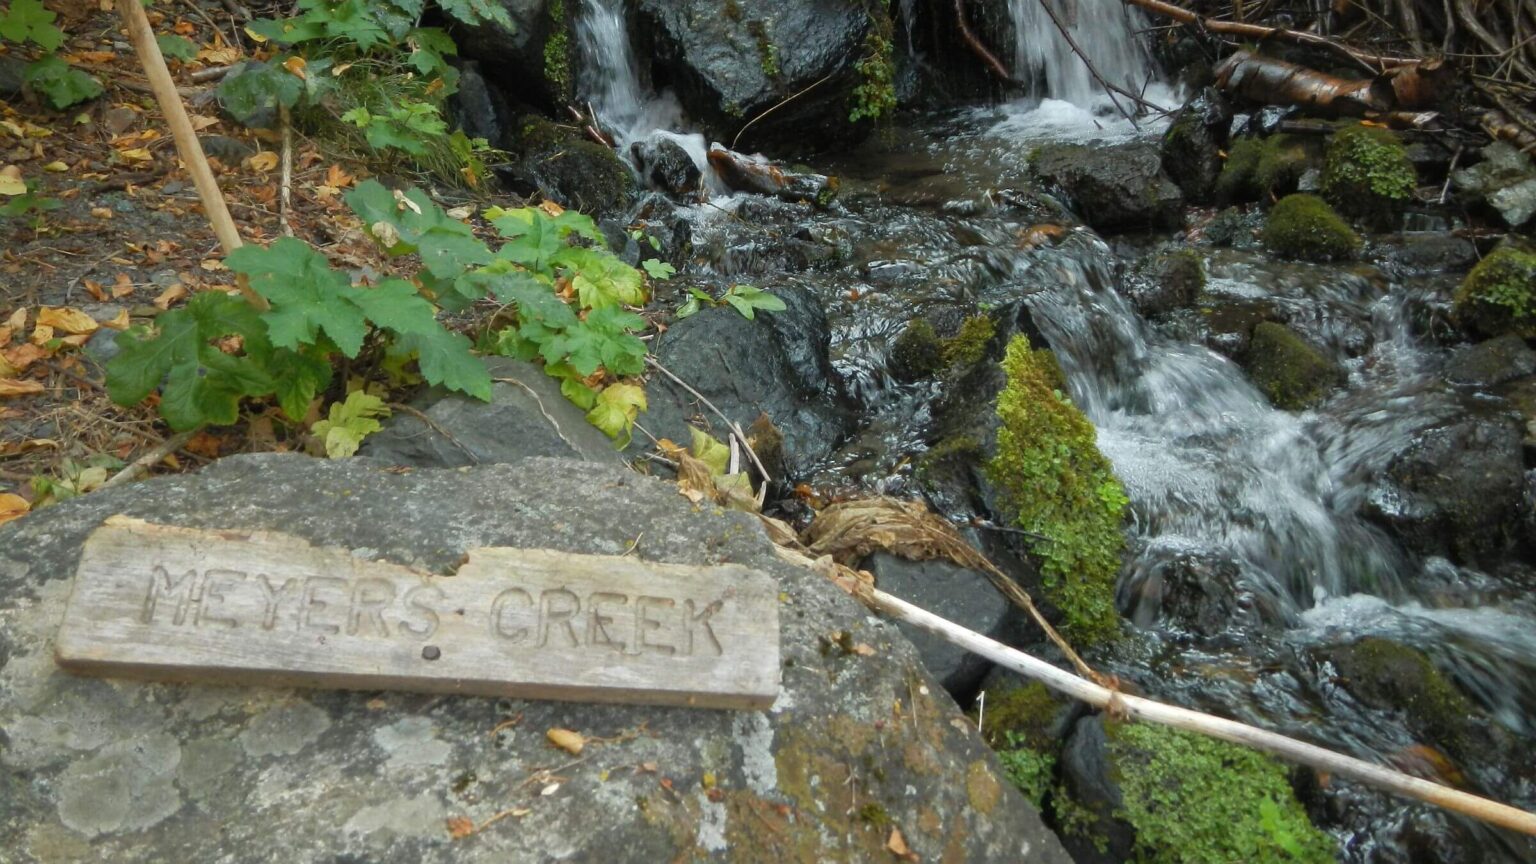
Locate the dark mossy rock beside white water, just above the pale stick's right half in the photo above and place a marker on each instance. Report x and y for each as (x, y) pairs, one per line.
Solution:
(1394, 677)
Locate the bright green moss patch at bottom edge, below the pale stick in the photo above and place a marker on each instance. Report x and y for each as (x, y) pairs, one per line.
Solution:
(1196, 800)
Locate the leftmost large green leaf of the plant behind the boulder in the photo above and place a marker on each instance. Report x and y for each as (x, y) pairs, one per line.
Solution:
(202, 384)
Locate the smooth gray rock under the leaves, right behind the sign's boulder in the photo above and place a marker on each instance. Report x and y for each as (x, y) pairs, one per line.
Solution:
(526, 417)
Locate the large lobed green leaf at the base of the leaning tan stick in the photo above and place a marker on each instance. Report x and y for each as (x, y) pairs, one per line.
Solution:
(308, 296)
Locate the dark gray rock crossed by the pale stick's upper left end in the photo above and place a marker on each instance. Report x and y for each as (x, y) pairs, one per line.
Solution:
(965, 597)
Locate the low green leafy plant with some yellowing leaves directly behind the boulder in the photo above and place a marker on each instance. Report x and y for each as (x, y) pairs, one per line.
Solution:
(552, 274)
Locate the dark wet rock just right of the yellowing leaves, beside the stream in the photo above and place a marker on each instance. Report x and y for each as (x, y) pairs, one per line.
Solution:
(776, 365)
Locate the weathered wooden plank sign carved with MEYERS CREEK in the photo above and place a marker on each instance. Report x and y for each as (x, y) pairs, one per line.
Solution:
(262, 608)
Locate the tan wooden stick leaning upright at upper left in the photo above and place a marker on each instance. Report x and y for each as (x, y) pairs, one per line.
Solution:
(188, 147)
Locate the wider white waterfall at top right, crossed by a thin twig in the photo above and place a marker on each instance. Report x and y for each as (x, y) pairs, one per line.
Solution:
(1105, 30)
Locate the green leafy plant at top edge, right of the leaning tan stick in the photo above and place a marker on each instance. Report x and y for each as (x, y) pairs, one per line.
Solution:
(368, 76)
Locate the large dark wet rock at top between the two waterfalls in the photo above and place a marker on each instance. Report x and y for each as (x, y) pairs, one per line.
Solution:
(732, 62)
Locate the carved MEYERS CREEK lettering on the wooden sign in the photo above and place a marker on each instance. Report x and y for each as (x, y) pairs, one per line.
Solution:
(380, 608)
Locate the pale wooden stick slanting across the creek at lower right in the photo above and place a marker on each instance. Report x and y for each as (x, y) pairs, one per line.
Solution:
(1176, 717)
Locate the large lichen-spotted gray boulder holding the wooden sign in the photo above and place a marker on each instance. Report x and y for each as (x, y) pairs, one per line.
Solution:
(856, 746)
